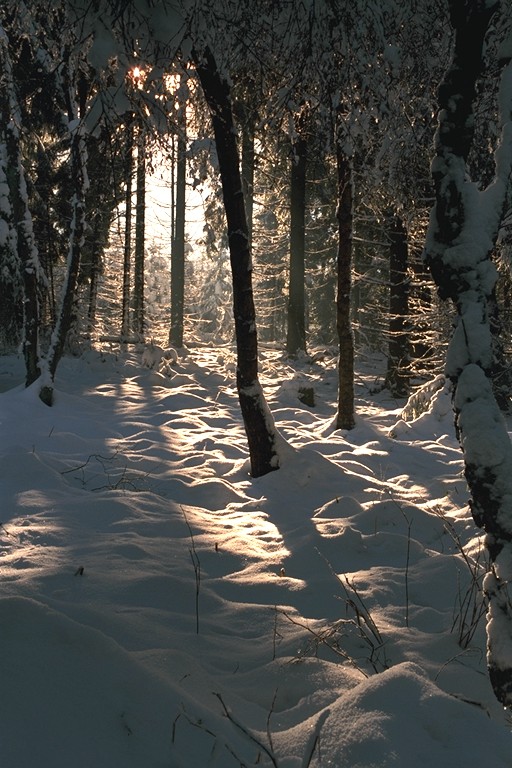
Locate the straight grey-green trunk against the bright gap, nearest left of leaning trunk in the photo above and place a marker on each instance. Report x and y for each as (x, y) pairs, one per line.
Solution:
(178, 243)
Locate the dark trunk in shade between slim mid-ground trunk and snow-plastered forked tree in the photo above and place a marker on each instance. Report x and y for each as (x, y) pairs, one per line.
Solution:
(397, 377)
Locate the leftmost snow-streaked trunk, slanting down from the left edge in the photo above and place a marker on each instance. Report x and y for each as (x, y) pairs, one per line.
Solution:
(16, 192)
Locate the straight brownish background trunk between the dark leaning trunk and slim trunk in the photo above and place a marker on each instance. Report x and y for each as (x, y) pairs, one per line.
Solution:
(296, 333)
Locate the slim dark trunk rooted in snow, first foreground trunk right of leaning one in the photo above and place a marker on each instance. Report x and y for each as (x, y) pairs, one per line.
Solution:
(345, 417)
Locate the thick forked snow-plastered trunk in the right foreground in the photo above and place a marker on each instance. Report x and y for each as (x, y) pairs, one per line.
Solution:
(463, 230)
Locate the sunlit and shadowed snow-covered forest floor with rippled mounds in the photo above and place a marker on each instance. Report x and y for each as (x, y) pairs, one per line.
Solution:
(159, 608)
